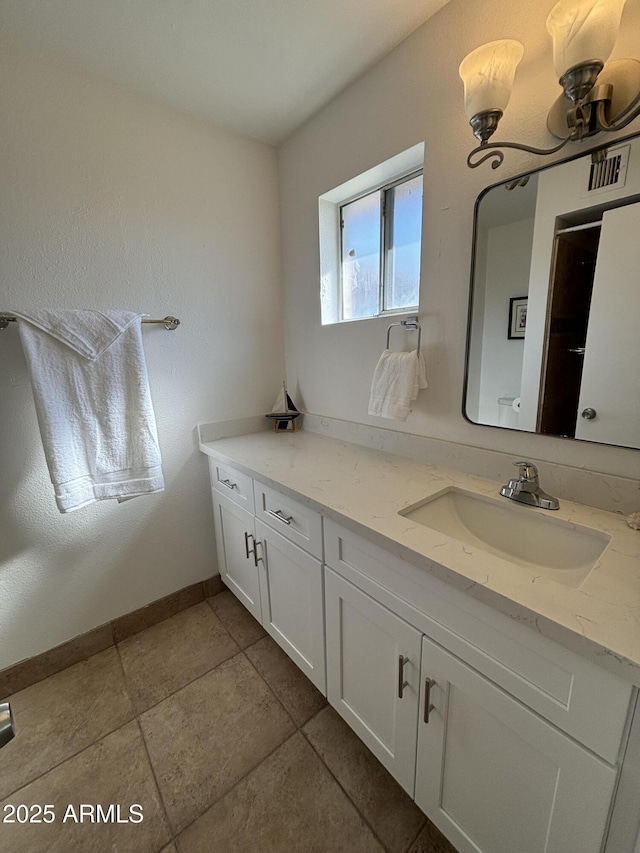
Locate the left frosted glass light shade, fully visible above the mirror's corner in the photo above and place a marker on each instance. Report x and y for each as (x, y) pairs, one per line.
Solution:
(487, 73)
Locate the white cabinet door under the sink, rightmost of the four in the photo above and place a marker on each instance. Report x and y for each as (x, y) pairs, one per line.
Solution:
(497, 778)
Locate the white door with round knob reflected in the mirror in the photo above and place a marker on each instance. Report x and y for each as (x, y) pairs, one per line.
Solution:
(610, 378)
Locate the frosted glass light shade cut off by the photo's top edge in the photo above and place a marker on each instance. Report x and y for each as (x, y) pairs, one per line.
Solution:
(582, 30)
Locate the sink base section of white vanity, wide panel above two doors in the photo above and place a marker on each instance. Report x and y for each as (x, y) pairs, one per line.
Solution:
(487, 768)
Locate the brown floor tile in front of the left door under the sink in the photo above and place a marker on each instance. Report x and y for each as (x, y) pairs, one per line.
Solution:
(390, 811)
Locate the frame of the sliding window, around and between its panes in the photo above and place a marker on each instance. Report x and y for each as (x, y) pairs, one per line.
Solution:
(385, 232)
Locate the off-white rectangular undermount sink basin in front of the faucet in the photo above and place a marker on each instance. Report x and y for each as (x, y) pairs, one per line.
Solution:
(532, 538)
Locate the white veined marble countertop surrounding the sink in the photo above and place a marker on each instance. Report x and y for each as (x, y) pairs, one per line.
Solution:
(365, 490)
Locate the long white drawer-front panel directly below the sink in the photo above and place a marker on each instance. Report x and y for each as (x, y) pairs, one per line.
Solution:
(586, 701)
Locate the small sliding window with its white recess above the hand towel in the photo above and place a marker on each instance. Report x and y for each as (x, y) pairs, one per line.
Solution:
(370, 241)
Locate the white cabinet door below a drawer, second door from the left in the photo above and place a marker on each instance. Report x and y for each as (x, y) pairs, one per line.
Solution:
(292, 601)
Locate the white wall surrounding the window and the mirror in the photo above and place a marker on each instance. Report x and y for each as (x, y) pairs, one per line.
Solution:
(415, 94)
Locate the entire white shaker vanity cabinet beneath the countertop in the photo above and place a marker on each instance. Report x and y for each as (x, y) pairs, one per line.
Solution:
(506, 740)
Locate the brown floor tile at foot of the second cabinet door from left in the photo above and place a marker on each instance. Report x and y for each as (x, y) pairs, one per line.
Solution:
(292, 687)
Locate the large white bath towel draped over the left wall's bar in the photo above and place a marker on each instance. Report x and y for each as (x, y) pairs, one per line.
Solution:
(92, 399)
